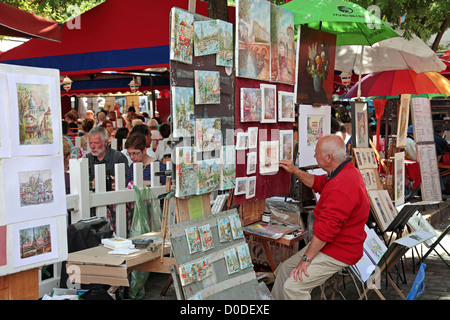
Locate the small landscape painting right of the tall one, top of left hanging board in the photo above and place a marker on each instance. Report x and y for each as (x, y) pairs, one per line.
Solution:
(206, 37)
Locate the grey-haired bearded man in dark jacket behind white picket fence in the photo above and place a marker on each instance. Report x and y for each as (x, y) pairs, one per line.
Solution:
(100, 153)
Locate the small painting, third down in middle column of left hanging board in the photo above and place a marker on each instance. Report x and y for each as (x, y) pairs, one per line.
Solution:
(208, 136)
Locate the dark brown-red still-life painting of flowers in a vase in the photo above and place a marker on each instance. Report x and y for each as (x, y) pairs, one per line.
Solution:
(315, 68)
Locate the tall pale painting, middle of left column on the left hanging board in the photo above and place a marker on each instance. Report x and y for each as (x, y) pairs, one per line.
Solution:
(182, 112)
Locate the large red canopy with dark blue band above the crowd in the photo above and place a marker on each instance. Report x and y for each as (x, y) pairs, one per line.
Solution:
(113, 36)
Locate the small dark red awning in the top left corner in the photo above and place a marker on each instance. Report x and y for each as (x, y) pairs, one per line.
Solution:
(18, 23)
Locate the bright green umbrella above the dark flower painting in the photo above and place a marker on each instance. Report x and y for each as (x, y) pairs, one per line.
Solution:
(352, 24)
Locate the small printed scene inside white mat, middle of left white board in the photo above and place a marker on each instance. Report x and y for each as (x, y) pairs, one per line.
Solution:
(35, 187)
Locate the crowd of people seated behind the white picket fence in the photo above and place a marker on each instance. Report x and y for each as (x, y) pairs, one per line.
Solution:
(103, 141)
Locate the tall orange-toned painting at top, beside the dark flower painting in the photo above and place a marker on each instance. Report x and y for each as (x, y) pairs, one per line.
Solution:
(282, 37)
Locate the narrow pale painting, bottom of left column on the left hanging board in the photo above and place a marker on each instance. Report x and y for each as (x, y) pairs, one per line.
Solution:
(186, 171)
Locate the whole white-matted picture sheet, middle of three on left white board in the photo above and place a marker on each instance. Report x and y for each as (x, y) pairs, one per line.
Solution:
(35, 188)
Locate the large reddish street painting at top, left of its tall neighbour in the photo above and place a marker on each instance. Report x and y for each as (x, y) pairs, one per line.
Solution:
(253, 37)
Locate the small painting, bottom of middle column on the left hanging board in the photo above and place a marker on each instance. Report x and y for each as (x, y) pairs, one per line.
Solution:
(208, 175)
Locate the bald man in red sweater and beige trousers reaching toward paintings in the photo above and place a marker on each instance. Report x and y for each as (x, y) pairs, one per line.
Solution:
(338, 228)
